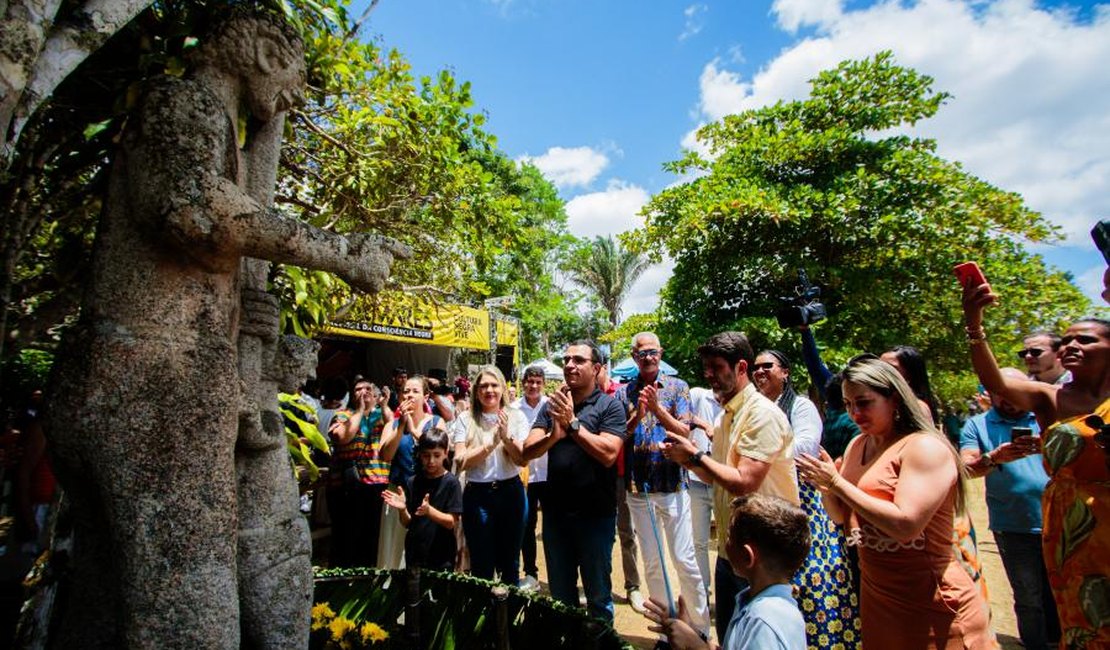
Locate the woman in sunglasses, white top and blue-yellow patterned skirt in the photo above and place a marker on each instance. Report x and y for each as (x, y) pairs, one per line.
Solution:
(825, 585)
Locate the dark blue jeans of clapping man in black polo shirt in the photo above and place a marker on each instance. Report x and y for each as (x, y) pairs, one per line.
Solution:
(581, 543)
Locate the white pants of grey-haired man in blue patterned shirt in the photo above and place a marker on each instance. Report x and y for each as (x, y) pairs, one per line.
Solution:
(673, 522)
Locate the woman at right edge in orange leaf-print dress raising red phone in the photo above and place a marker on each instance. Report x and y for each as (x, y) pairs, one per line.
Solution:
(1077, 499)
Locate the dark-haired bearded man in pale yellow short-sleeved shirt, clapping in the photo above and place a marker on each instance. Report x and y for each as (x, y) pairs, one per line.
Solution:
(753, 451)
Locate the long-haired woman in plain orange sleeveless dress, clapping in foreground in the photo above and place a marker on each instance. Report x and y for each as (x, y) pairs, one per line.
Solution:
(897, 491)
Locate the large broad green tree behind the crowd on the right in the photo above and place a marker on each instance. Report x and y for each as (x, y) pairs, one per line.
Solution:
(833, 186)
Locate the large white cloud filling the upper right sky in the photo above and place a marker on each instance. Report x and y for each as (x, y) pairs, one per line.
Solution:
(1031, 88)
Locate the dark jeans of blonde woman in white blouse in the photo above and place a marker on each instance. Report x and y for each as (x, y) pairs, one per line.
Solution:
(493, 523)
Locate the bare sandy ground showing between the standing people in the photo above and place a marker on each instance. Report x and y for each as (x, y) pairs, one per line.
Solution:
(633, 627)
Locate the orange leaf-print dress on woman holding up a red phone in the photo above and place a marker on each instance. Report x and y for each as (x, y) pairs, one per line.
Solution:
(1077, 531)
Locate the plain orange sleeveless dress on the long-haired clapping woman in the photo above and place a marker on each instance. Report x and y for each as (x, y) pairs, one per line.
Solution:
(913, 595)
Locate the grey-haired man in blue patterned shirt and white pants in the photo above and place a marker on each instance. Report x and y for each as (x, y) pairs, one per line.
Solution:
(658, 404)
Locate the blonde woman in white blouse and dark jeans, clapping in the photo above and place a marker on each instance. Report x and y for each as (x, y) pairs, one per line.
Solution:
(495, 503)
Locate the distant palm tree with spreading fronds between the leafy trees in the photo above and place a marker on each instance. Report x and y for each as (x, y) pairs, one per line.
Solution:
(603, 267)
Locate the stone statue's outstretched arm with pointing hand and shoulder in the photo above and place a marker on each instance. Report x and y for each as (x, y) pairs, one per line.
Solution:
(184, 165)
